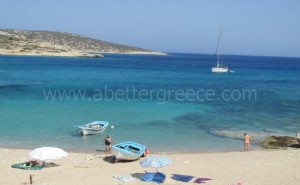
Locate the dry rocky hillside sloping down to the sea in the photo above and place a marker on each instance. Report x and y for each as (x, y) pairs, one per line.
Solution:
(23, 42)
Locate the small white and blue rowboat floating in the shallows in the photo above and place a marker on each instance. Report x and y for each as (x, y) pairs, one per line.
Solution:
(95, 127)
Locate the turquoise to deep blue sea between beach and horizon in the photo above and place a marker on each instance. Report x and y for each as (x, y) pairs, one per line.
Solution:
(171, 103)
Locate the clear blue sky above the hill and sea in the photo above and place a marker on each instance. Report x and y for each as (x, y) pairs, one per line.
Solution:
(256, 27)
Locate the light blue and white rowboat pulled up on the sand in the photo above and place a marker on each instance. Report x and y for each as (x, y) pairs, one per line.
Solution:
(128, 151)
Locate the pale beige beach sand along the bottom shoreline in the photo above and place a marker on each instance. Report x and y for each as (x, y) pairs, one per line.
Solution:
(271, 167)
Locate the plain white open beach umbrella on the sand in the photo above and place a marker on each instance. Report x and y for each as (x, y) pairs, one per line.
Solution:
(47, 153)
